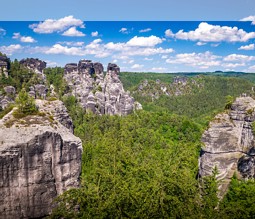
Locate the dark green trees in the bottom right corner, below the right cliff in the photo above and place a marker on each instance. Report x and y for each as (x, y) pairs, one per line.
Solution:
(239, 202)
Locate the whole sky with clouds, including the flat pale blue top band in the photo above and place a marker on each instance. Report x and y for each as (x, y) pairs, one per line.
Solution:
(140, 36)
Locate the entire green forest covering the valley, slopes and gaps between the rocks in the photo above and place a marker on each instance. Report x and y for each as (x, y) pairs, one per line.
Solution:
(145, 165)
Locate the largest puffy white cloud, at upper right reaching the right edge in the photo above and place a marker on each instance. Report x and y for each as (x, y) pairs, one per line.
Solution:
(214, 33)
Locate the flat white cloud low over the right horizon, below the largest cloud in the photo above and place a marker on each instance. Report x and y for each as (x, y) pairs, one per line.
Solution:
(199, 60)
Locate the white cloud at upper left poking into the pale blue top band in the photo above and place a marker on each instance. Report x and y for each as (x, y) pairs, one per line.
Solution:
(52, 25)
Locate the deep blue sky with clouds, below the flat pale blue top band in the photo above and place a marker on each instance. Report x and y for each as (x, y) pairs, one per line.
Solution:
(150, 46)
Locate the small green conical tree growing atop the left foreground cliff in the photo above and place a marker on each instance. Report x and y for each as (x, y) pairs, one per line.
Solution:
(26, 105)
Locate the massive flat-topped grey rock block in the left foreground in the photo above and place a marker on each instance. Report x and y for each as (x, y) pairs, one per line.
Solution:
(40, 158)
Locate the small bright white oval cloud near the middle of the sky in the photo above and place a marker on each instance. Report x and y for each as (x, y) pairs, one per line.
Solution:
(144, 41)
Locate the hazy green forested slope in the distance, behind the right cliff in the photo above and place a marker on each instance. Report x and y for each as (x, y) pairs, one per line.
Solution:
(199, 104)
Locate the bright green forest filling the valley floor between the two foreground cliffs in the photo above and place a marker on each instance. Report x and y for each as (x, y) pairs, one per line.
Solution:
(138, 166)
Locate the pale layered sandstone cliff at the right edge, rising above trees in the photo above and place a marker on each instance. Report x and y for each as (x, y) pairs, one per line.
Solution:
(229, 143)
